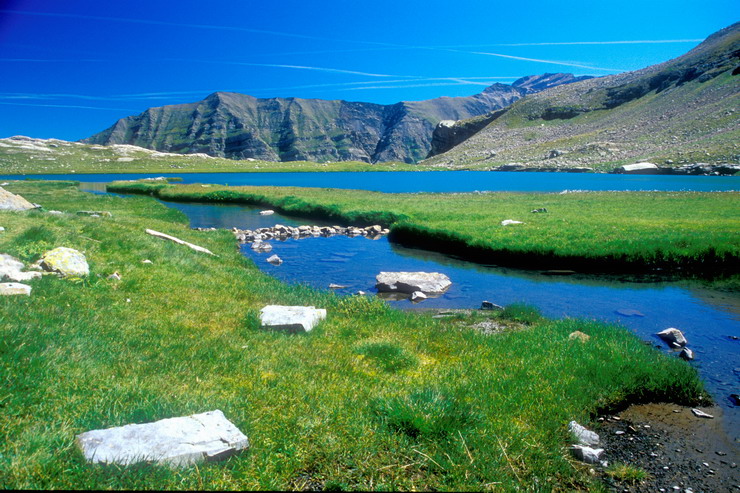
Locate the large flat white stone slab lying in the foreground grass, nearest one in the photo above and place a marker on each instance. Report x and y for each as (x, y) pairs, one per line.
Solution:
(175, 441)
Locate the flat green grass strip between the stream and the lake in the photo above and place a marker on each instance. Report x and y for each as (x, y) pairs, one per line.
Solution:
(686, 233)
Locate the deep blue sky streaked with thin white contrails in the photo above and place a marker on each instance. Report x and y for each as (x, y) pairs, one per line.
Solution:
(69, 69)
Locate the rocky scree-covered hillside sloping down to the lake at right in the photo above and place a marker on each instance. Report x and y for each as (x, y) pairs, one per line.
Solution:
(681, 111)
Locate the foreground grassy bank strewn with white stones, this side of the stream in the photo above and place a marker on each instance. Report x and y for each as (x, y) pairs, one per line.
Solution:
(372, 399)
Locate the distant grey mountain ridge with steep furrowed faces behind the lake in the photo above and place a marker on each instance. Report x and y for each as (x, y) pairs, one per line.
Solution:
(238, 126)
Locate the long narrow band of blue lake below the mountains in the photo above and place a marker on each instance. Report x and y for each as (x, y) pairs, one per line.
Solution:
(437, 181)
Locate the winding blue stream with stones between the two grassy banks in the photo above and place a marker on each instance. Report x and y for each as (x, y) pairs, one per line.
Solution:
(709, 319)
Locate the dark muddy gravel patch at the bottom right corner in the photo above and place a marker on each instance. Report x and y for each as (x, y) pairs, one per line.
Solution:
(679, 451)
